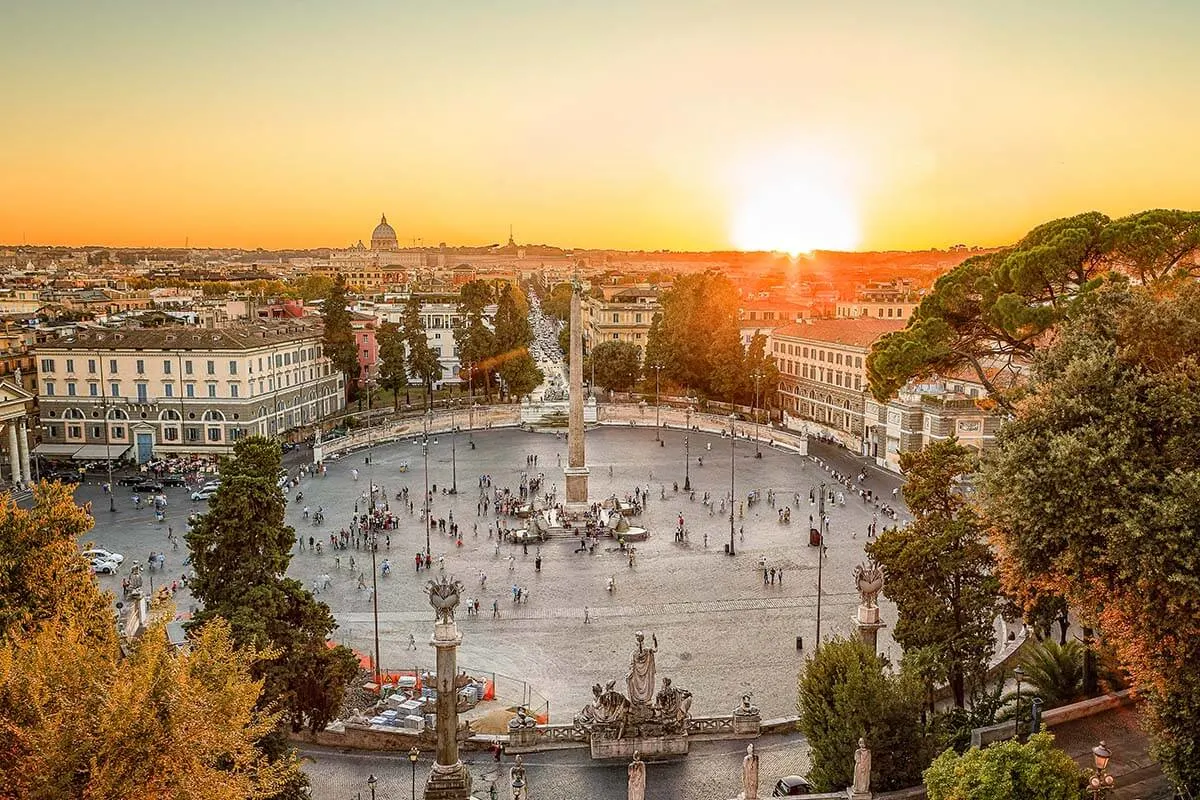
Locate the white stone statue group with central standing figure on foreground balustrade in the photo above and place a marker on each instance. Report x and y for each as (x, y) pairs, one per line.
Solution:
(644, 714)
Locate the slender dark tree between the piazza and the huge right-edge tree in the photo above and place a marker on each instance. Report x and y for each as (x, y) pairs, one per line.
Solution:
(940, 569)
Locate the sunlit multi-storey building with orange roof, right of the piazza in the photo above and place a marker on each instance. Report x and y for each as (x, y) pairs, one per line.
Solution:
(824, 375)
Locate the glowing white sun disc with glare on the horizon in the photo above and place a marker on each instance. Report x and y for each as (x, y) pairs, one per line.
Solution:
(795, 206)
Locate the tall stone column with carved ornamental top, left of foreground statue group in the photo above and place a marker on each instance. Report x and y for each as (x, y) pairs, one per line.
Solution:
(449, 779)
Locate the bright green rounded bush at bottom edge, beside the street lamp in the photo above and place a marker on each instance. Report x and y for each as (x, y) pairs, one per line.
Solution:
(1036, 771)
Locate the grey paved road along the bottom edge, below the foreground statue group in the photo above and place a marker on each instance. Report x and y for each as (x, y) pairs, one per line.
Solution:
(711, 772)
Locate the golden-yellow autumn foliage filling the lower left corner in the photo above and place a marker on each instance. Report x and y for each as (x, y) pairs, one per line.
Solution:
(82, 720)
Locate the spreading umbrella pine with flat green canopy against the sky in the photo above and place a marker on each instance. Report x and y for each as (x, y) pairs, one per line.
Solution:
(989, 314)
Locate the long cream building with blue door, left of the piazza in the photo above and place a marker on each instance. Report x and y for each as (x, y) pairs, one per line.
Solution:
(152, 393)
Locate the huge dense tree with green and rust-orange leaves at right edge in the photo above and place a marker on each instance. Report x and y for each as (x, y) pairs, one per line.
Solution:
(1093, 490)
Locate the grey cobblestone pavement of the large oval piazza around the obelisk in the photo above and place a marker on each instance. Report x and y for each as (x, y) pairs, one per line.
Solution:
(722, 631)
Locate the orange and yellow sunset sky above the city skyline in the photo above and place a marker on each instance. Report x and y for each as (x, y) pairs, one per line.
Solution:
(685, 125)
